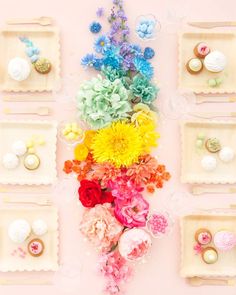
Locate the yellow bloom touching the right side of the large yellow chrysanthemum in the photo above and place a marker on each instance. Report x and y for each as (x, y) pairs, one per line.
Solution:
(149, 136)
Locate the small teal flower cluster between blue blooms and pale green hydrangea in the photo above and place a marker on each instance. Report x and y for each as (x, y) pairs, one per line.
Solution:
(112, 74)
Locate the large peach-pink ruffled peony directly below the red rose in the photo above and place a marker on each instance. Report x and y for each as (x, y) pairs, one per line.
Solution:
(101, 227)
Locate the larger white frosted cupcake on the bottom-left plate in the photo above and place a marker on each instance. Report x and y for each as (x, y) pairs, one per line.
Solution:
(19, 230)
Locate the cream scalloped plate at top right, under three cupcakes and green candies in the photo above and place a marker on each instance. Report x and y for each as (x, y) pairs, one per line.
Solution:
(222, 41)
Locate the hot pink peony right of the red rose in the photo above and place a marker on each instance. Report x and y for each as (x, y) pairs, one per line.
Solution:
(132, 212)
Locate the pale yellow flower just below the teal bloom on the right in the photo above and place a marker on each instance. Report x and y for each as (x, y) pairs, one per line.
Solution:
(143, 115)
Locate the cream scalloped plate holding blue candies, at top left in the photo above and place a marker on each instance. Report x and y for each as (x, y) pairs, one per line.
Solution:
(46, 39)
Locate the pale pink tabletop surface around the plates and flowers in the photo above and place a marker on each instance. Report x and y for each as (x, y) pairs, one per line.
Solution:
(160, 275)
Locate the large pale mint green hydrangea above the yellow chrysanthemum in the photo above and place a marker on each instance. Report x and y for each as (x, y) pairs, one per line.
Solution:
(101, 101)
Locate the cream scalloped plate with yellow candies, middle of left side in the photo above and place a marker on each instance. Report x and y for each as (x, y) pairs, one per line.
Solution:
(11, 131)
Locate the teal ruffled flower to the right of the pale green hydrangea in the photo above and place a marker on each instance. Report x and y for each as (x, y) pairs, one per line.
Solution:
(145, 90)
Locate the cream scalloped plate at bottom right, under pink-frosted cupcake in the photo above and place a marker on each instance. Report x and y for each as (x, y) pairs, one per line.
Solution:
(191, 264)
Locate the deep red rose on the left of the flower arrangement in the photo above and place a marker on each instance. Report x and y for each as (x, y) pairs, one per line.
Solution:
(91, 194)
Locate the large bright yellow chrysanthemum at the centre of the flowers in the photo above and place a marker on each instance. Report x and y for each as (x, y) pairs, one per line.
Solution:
(120, 144)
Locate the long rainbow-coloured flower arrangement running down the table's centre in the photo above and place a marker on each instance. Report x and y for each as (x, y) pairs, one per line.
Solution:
(113, 164)
